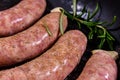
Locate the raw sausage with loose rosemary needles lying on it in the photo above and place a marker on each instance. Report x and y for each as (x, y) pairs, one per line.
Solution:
(31, 42)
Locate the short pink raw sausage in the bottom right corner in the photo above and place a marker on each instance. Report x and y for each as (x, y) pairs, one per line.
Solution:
(100, 66)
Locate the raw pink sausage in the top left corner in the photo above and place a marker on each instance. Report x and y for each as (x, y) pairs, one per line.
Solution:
(21, 16)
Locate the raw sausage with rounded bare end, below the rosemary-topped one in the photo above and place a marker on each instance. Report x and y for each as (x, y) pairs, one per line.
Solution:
(55, 64)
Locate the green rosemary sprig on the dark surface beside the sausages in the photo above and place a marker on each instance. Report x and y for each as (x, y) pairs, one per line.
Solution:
(96, 29)
